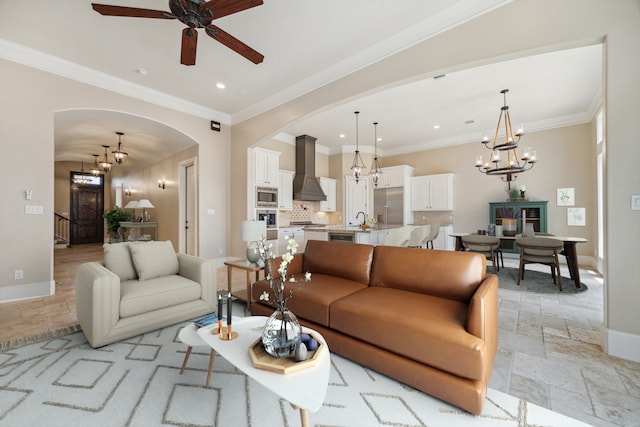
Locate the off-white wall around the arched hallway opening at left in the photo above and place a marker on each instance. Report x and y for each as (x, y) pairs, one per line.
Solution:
(29, 100)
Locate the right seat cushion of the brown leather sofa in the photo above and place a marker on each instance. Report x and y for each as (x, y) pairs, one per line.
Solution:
(421, 327)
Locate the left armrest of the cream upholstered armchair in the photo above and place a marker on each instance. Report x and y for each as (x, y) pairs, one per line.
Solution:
(97, 301)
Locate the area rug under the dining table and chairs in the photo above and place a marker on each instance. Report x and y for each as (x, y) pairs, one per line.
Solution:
(535, 281)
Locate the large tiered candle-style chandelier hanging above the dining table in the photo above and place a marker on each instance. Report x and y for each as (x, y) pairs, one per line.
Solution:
(504, 160)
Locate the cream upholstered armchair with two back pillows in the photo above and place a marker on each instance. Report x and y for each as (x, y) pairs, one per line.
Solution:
(140, 287)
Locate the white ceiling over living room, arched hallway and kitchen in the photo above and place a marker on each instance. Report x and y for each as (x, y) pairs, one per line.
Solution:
(306, 44)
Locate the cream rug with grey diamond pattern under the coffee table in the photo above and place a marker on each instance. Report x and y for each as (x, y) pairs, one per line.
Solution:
(136, 382)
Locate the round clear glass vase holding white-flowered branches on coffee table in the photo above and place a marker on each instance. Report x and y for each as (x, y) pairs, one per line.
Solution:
(281, 333)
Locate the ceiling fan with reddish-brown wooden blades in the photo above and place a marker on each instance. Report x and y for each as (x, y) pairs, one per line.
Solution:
(194, 14)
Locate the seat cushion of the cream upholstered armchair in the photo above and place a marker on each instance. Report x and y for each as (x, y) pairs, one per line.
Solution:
(167, 291)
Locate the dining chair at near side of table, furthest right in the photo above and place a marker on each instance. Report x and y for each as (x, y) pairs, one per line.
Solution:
(540, 250)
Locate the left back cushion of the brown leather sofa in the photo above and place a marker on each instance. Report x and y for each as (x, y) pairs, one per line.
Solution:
(351, 262)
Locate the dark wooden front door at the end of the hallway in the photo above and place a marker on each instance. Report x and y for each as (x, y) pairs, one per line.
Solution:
(87, 206)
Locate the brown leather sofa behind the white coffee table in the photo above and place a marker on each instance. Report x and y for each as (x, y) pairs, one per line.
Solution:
(427, 318)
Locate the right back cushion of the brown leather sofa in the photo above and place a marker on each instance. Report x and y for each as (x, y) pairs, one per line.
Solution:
(446, 274)
